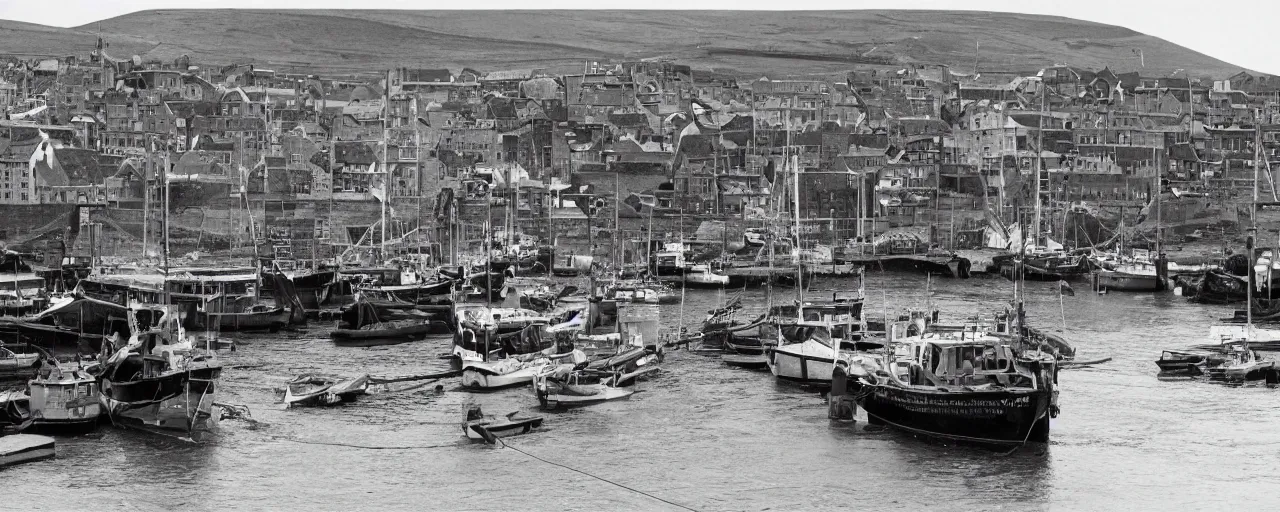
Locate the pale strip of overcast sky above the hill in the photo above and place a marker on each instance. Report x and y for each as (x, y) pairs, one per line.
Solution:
(1237, 33)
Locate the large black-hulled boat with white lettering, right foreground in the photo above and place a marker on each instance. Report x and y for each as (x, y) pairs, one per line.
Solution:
(971, 387)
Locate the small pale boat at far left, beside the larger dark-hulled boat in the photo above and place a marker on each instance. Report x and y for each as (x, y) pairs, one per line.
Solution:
(65, 399)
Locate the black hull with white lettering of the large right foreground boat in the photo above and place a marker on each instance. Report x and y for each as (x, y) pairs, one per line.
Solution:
(989, 418)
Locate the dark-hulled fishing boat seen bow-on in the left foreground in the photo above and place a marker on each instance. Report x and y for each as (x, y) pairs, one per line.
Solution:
(159, 381)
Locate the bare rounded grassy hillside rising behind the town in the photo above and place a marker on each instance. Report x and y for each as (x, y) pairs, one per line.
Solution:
(749, 43)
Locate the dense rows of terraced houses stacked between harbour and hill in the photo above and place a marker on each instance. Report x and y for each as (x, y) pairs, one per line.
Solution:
(240, 139)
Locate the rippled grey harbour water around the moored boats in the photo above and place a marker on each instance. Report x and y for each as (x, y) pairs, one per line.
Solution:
(701, 435)
